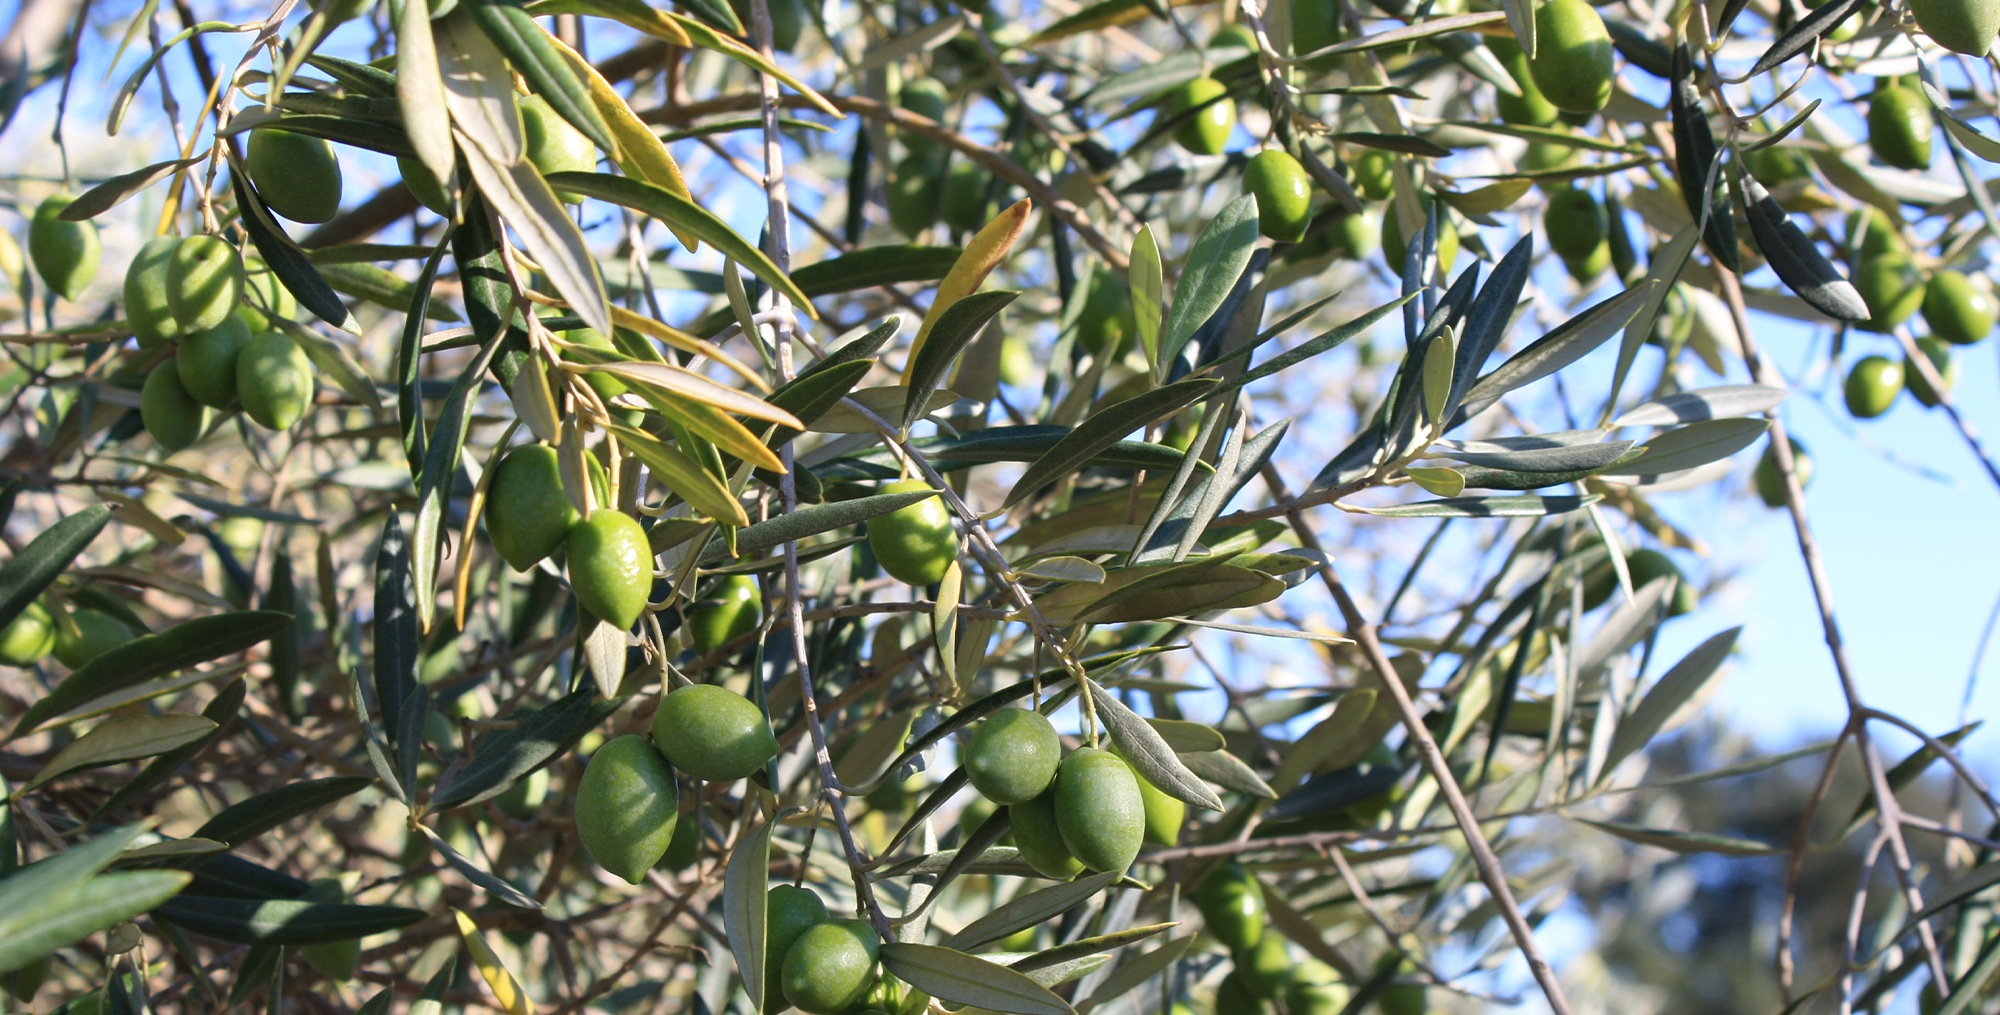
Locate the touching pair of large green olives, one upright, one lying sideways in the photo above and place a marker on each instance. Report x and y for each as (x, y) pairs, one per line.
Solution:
(627, 802)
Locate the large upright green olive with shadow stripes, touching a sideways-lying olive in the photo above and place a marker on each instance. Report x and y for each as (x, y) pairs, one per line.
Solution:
(627, 806)
